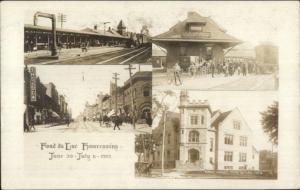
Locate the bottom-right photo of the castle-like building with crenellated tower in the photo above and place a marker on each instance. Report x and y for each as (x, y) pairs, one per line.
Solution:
(196, 134)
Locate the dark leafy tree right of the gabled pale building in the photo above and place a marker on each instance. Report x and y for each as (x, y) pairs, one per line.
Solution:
(269, 122)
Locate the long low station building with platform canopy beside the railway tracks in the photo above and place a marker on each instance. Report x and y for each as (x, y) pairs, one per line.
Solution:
(40, 37)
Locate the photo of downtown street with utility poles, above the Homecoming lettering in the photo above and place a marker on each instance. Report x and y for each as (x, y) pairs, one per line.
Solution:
(88, 99)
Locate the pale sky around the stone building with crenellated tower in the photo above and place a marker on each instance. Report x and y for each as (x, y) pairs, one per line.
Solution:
(250, 104)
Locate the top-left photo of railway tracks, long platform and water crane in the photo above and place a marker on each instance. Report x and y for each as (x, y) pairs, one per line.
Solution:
(65, 42)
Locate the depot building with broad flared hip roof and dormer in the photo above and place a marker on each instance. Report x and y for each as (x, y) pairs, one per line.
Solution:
(194, 39)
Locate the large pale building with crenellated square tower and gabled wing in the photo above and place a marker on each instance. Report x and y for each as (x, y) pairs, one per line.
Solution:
(197, 139)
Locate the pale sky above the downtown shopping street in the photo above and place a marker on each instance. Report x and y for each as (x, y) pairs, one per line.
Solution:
(82, 83)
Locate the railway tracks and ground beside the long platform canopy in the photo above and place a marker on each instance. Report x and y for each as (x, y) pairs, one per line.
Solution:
(94, 55)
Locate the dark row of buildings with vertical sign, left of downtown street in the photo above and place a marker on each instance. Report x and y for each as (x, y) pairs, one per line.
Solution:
(43, 102)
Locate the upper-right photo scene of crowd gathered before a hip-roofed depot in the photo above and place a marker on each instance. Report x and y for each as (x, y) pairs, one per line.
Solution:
(197, 53)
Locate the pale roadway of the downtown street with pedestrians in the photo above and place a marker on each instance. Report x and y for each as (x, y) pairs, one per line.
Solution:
(91, 127)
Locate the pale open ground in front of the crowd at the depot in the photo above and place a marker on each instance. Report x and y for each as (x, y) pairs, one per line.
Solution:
(236, 82)
